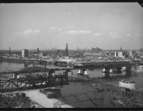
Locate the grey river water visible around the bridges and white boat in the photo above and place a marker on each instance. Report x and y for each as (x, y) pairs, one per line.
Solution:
(79, 87)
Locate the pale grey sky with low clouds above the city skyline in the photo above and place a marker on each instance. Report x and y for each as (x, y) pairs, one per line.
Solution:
(81, 25)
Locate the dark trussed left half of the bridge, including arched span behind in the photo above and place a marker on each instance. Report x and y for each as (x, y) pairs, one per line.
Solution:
(33, 80)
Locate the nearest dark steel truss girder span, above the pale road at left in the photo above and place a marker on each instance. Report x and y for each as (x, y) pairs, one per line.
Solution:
(32, 83)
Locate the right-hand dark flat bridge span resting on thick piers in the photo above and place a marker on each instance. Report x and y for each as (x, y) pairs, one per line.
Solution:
(83, 65)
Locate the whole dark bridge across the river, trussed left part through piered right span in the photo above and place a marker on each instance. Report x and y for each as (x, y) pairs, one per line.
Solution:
(49, 79)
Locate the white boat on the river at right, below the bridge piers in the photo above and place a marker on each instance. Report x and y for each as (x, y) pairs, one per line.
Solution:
(127, 84)
